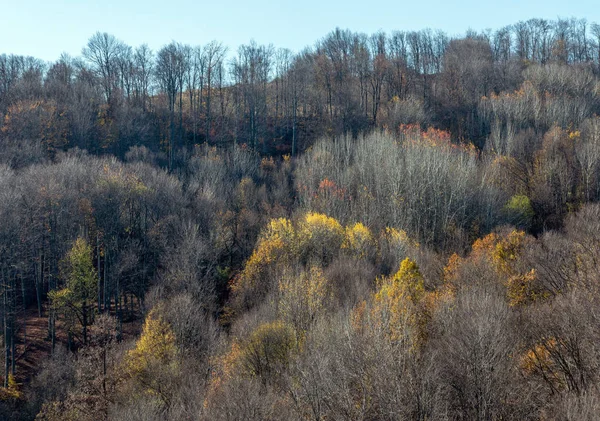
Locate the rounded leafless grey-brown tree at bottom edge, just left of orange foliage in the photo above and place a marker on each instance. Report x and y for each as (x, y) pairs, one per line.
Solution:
(478, 369)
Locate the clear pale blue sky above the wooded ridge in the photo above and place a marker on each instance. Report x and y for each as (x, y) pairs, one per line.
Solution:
(46, 28)
